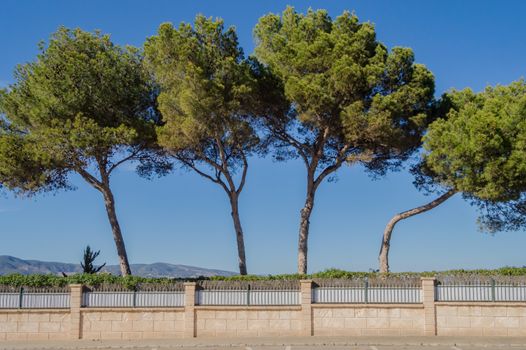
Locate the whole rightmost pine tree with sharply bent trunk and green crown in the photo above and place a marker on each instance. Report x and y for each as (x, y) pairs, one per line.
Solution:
(478, 149)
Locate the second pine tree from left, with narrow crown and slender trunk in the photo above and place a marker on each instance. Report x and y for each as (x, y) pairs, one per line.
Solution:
(209, 96)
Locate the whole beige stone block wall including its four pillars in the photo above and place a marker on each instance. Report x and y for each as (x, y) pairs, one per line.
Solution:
(428, 318)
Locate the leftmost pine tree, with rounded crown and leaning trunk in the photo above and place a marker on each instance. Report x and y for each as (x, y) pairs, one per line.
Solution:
(88, 105)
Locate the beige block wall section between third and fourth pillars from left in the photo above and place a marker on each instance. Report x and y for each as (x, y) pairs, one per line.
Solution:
(370, 320)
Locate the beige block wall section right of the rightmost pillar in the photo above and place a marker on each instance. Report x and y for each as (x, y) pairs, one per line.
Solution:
(479, 319)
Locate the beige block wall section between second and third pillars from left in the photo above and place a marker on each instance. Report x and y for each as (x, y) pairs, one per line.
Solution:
(248, 321)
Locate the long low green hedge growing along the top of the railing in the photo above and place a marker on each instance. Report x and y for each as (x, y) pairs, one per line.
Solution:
(18, 280)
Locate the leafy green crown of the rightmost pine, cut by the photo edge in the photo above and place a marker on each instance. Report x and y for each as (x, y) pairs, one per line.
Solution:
(479, 148)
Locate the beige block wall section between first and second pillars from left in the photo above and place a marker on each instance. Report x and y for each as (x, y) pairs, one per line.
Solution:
(132, 323)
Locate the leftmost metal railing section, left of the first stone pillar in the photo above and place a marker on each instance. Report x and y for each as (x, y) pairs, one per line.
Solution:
(35, 299)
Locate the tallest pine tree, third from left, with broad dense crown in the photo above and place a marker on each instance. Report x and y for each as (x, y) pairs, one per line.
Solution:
(352, 99)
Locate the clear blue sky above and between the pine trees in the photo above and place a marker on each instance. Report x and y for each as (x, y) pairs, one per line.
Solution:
(185, 219)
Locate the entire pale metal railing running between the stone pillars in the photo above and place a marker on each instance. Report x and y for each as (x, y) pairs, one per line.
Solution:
(352, 291)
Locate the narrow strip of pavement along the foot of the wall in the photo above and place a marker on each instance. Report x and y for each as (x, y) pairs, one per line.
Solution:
(298, 343)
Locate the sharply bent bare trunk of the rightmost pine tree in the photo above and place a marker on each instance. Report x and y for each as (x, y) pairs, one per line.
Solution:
(386, 241)
